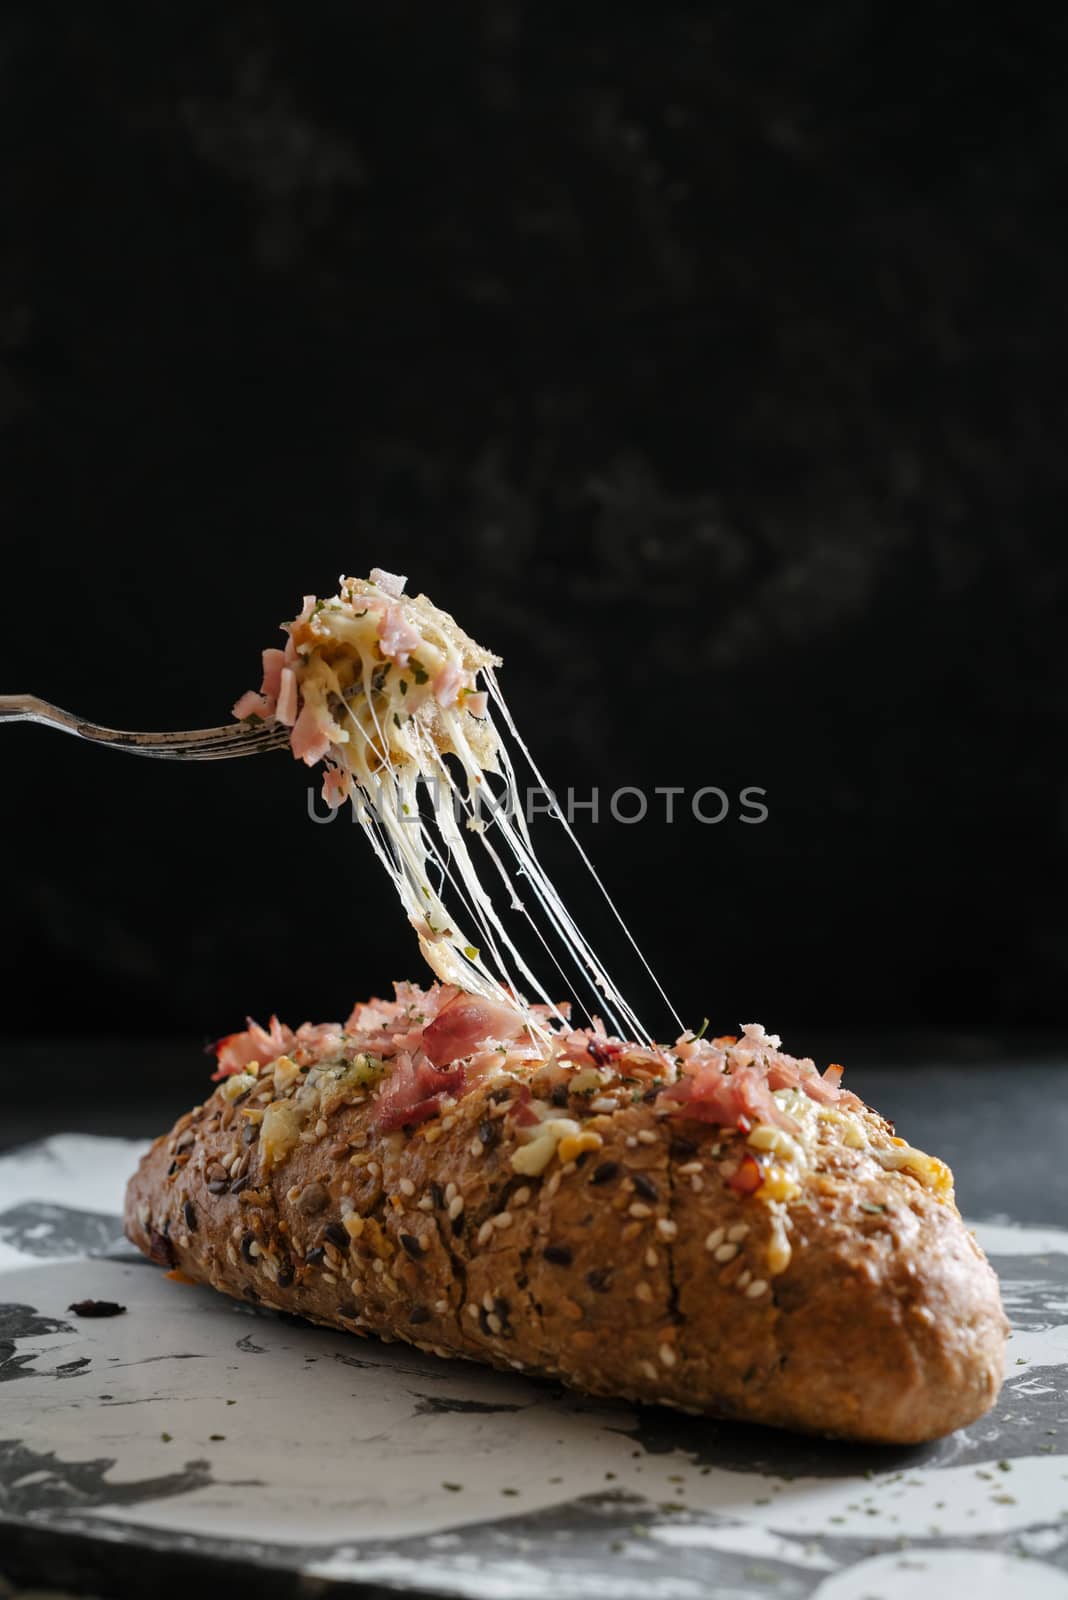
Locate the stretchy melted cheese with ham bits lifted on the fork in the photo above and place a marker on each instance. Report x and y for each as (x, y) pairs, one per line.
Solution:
(393, 735)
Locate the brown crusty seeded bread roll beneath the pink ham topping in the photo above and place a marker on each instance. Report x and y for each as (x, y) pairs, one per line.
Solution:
(628, 1263)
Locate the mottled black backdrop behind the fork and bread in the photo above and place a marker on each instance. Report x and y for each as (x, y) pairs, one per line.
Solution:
(706, 362)
